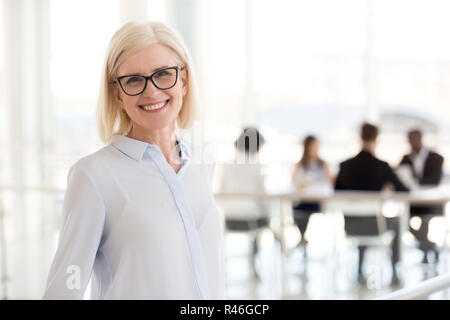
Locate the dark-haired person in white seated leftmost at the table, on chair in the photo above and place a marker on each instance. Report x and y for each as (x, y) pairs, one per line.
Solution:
(245, 175)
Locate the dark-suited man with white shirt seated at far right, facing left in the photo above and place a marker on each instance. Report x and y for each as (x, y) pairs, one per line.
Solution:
(426, 168)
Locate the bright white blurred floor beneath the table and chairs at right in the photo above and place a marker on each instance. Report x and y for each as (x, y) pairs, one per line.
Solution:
(322, 274)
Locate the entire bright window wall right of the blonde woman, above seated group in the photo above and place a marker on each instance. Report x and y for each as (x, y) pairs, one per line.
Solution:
(322, 67)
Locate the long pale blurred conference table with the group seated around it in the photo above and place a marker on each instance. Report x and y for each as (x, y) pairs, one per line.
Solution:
(285, 198)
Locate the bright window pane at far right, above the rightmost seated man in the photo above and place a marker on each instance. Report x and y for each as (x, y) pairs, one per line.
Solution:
(412, 59)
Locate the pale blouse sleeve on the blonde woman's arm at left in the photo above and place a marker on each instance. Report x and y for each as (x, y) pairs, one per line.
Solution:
(83, 217)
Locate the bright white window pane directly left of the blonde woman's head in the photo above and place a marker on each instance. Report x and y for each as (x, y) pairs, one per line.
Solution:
(79, 35)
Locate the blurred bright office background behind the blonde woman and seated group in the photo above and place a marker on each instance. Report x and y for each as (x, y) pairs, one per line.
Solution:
(289, 67)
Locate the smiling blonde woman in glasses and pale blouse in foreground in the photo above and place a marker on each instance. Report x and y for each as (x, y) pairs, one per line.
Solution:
(139, 214)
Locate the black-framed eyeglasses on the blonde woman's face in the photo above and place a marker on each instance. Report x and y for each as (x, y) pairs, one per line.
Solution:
(162, 79)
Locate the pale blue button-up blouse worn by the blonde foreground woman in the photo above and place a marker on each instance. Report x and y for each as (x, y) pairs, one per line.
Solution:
(138, 228)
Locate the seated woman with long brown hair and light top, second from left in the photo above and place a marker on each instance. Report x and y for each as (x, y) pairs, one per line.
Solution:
(310, 173)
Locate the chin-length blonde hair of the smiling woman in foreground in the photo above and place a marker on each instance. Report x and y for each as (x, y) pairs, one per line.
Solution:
(130, 38)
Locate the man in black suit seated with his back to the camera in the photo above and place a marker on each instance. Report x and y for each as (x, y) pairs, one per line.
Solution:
(366, 172)
